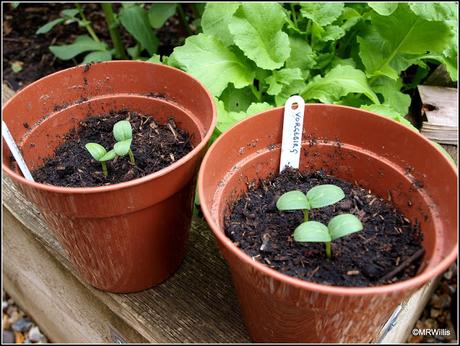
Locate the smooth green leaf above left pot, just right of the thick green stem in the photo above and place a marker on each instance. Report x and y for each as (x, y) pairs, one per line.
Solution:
(135, 20)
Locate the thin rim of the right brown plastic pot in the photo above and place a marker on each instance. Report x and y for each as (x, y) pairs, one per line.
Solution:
(219, 233)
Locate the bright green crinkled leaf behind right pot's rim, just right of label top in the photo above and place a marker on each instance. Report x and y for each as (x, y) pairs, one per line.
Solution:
(338, 82)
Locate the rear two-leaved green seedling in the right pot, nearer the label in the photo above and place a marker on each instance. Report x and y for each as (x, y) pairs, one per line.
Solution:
(317, 197)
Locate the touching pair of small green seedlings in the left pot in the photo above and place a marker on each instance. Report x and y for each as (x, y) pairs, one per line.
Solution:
(123, 133)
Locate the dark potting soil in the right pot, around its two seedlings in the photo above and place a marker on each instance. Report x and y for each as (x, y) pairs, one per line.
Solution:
(388, 249)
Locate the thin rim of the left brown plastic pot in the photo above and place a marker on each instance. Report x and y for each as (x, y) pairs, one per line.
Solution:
(127, 184)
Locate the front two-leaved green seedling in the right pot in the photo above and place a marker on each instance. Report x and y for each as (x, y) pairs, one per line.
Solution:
(339, 226)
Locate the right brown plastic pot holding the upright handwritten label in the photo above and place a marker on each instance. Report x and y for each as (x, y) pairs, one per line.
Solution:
(376, 152)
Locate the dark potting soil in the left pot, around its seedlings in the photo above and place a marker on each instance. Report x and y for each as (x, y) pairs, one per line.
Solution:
(155, 146)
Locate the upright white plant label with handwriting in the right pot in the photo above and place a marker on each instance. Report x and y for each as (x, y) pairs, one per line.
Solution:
(291, 144)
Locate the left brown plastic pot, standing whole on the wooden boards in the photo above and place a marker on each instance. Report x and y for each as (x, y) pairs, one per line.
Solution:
(129, 236)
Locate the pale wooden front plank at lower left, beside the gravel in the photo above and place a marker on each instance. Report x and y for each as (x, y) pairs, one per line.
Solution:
(66, 310)
